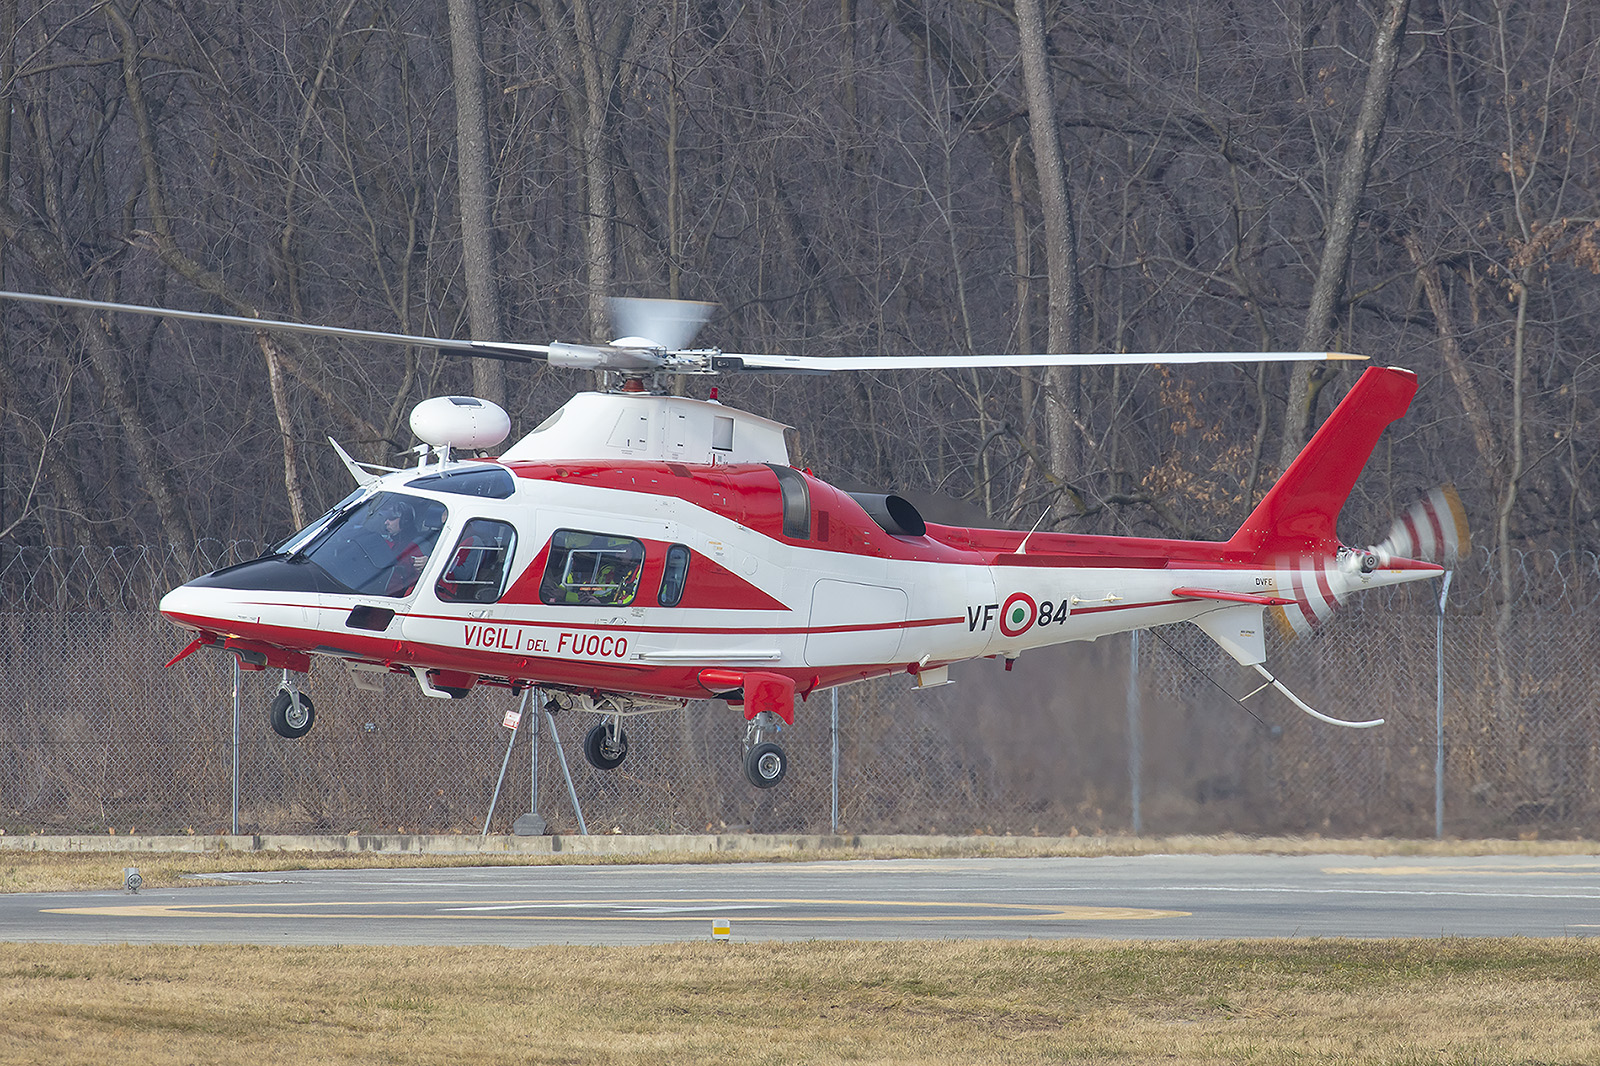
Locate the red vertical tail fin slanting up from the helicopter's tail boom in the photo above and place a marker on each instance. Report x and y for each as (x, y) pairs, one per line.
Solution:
(1298, 515)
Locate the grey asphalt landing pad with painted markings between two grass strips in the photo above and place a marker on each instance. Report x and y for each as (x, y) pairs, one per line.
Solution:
(1156, 897)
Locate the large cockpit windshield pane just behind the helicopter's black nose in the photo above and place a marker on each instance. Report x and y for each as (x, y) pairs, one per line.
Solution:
(382, 547)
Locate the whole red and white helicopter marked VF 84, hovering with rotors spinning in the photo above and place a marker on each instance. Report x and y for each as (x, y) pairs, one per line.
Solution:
(638, 551)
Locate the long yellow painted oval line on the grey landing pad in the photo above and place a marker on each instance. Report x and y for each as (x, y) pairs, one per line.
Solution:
(473, 910)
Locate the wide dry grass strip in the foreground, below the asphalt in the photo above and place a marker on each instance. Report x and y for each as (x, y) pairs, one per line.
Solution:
(1487, 1001)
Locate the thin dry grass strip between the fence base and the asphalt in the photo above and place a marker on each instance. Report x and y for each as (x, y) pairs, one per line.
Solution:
(76, 872)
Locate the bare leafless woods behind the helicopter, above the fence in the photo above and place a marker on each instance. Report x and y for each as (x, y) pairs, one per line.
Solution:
(1415, 182)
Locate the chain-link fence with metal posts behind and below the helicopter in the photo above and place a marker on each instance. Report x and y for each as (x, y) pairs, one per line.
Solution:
(97, 735)
